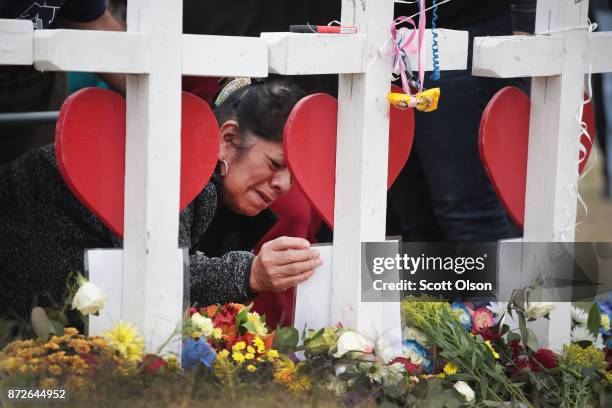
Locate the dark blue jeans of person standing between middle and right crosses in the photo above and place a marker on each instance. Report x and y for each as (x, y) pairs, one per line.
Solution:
(443, 193)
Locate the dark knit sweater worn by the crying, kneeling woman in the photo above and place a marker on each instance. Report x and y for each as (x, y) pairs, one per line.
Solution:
(44, 231)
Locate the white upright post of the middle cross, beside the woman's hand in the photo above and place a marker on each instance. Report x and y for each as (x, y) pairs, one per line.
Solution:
(361, 166)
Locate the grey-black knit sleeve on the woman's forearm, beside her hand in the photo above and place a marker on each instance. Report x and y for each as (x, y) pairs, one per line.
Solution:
(220, 280)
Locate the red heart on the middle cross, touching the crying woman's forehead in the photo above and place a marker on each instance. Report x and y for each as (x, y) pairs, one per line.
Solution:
(310, 148)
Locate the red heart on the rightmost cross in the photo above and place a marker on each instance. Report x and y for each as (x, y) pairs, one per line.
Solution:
(503, 142)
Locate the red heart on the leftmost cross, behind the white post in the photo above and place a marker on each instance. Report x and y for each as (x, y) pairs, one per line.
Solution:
(90, 150)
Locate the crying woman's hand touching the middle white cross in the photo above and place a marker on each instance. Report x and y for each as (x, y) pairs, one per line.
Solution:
(283, 263)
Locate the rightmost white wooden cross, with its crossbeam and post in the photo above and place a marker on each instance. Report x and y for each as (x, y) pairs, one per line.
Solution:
(557, 58)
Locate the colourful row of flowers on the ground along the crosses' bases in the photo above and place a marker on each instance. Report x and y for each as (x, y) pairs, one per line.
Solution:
(453, 354)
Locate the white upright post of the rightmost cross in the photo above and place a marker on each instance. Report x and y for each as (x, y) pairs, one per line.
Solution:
(554, 137)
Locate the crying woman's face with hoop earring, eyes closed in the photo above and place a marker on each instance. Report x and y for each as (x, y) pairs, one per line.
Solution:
(256, 177)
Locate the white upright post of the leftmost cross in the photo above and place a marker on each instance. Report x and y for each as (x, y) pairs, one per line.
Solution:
(152, 174)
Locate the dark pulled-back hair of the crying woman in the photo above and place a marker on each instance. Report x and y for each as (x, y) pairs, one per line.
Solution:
(262, 107)
